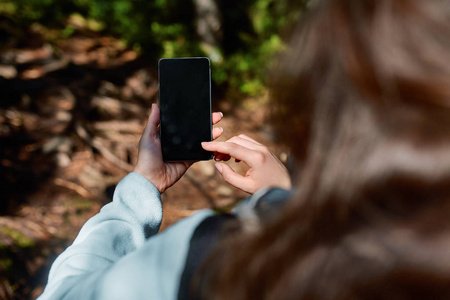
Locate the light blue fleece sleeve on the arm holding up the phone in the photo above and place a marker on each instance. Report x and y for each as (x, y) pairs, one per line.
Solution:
(122, 226)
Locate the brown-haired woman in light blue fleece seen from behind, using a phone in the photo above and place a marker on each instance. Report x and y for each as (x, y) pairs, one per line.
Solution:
(363, 99)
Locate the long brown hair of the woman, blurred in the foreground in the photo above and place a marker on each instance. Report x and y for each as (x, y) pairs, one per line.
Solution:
(363, 99)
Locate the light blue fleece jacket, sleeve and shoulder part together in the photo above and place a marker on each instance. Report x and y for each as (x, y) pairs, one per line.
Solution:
(118, 254)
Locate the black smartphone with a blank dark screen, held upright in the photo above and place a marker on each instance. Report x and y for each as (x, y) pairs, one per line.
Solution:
(185, 105)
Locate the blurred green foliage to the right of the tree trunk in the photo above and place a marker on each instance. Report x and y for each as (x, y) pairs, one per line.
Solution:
(248, 67)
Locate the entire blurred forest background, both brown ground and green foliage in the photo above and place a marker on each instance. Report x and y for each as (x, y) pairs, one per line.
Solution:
(77, 79)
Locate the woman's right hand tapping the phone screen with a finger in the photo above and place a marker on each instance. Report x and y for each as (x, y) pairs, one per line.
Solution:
(265, 168)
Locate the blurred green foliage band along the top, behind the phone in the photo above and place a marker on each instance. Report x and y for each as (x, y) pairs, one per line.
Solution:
(167, 28)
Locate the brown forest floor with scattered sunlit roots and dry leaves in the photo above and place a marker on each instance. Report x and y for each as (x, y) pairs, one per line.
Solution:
(71, 115)
